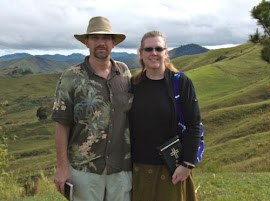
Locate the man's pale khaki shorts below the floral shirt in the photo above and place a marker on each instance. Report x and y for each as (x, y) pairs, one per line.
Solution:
(95, 187)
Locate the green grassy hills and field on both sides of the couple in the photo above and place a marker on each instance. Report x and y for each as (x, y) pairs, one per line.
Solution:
(233, 88)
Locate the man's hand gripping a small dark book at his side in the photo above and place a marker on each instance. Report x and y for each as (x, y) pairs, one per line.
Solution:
(60, 177)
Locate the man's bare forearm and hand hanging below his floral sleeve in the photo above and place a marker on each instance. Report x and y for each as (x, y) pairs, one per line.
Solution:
(62, 173)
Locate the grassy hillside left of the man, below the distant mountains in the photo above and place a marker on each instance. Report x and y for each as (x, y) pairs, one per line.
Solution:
(33, 148)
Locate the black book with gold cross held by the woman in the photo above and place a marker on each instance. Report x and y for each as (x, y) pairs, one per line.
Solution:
(171, 153)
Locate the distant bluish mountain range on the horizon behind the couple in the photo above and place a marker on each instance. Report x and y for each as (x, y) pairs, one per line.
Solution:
(57, 63)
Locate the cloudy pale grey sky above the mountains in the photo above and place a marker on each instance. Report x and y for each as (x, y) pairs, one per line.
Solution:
(48, 26)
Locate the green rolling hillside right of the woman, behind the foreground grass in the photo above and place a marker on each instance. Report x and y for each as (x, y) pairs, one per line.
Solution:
(233, 87)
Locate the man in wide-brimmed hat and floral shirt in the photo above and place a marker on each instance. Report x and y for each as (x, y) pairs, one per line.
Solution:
(90, 110)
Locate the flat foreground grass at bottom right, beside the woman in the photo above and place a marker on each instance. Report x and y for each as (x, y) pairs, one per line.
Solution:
(233, 186)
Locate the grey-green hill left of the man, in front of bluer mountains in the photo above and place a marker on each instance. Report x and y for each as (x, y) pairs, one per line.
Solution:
(36, 64)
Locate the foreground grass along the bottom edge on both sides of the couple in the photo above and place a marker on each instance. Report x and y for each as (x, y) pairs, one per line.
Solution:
(225, 186)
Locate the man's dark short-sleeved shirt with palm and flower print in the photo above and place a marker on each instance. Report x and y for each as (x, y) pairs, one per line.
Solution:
(96, 110)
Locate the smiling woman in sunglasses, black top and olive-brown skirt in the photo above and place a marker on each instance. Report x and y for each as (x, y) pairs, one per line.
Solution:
(153, 120)
